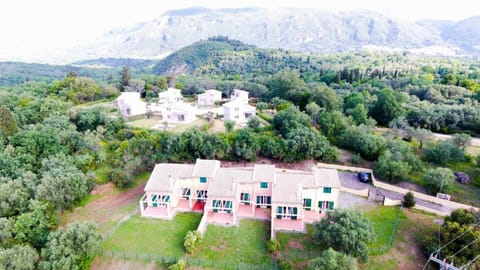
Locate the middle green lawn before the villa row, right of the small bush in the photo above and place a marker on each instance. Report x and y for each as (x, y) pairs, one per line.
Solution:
(245, 243)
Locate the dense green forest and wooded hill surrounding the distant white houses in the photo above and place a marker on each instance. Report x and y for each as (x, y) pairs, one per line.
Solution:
(309, 107)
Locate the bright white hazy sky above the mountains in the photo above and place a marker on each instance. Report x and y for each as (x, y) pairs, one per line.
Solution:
(29, 27)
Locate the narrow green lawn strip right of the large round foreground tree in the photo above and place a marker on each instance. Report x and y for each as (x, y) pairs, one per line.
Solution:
(383, 220)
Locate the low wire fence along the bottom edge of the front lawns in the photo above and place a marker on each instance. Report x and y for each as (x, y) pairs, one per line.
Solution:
(162, 259)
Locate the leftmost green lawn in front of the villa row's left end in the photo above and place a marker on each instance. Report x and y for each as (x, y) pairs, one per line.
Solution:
(153, 236)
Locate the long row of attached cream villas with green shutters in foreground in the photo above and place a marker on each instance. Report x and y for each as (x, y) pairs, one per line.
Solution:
(288, 198)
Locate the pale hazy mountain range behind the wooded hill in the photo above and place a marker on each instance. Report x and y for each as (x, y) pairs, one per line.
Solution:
(305, 30)
